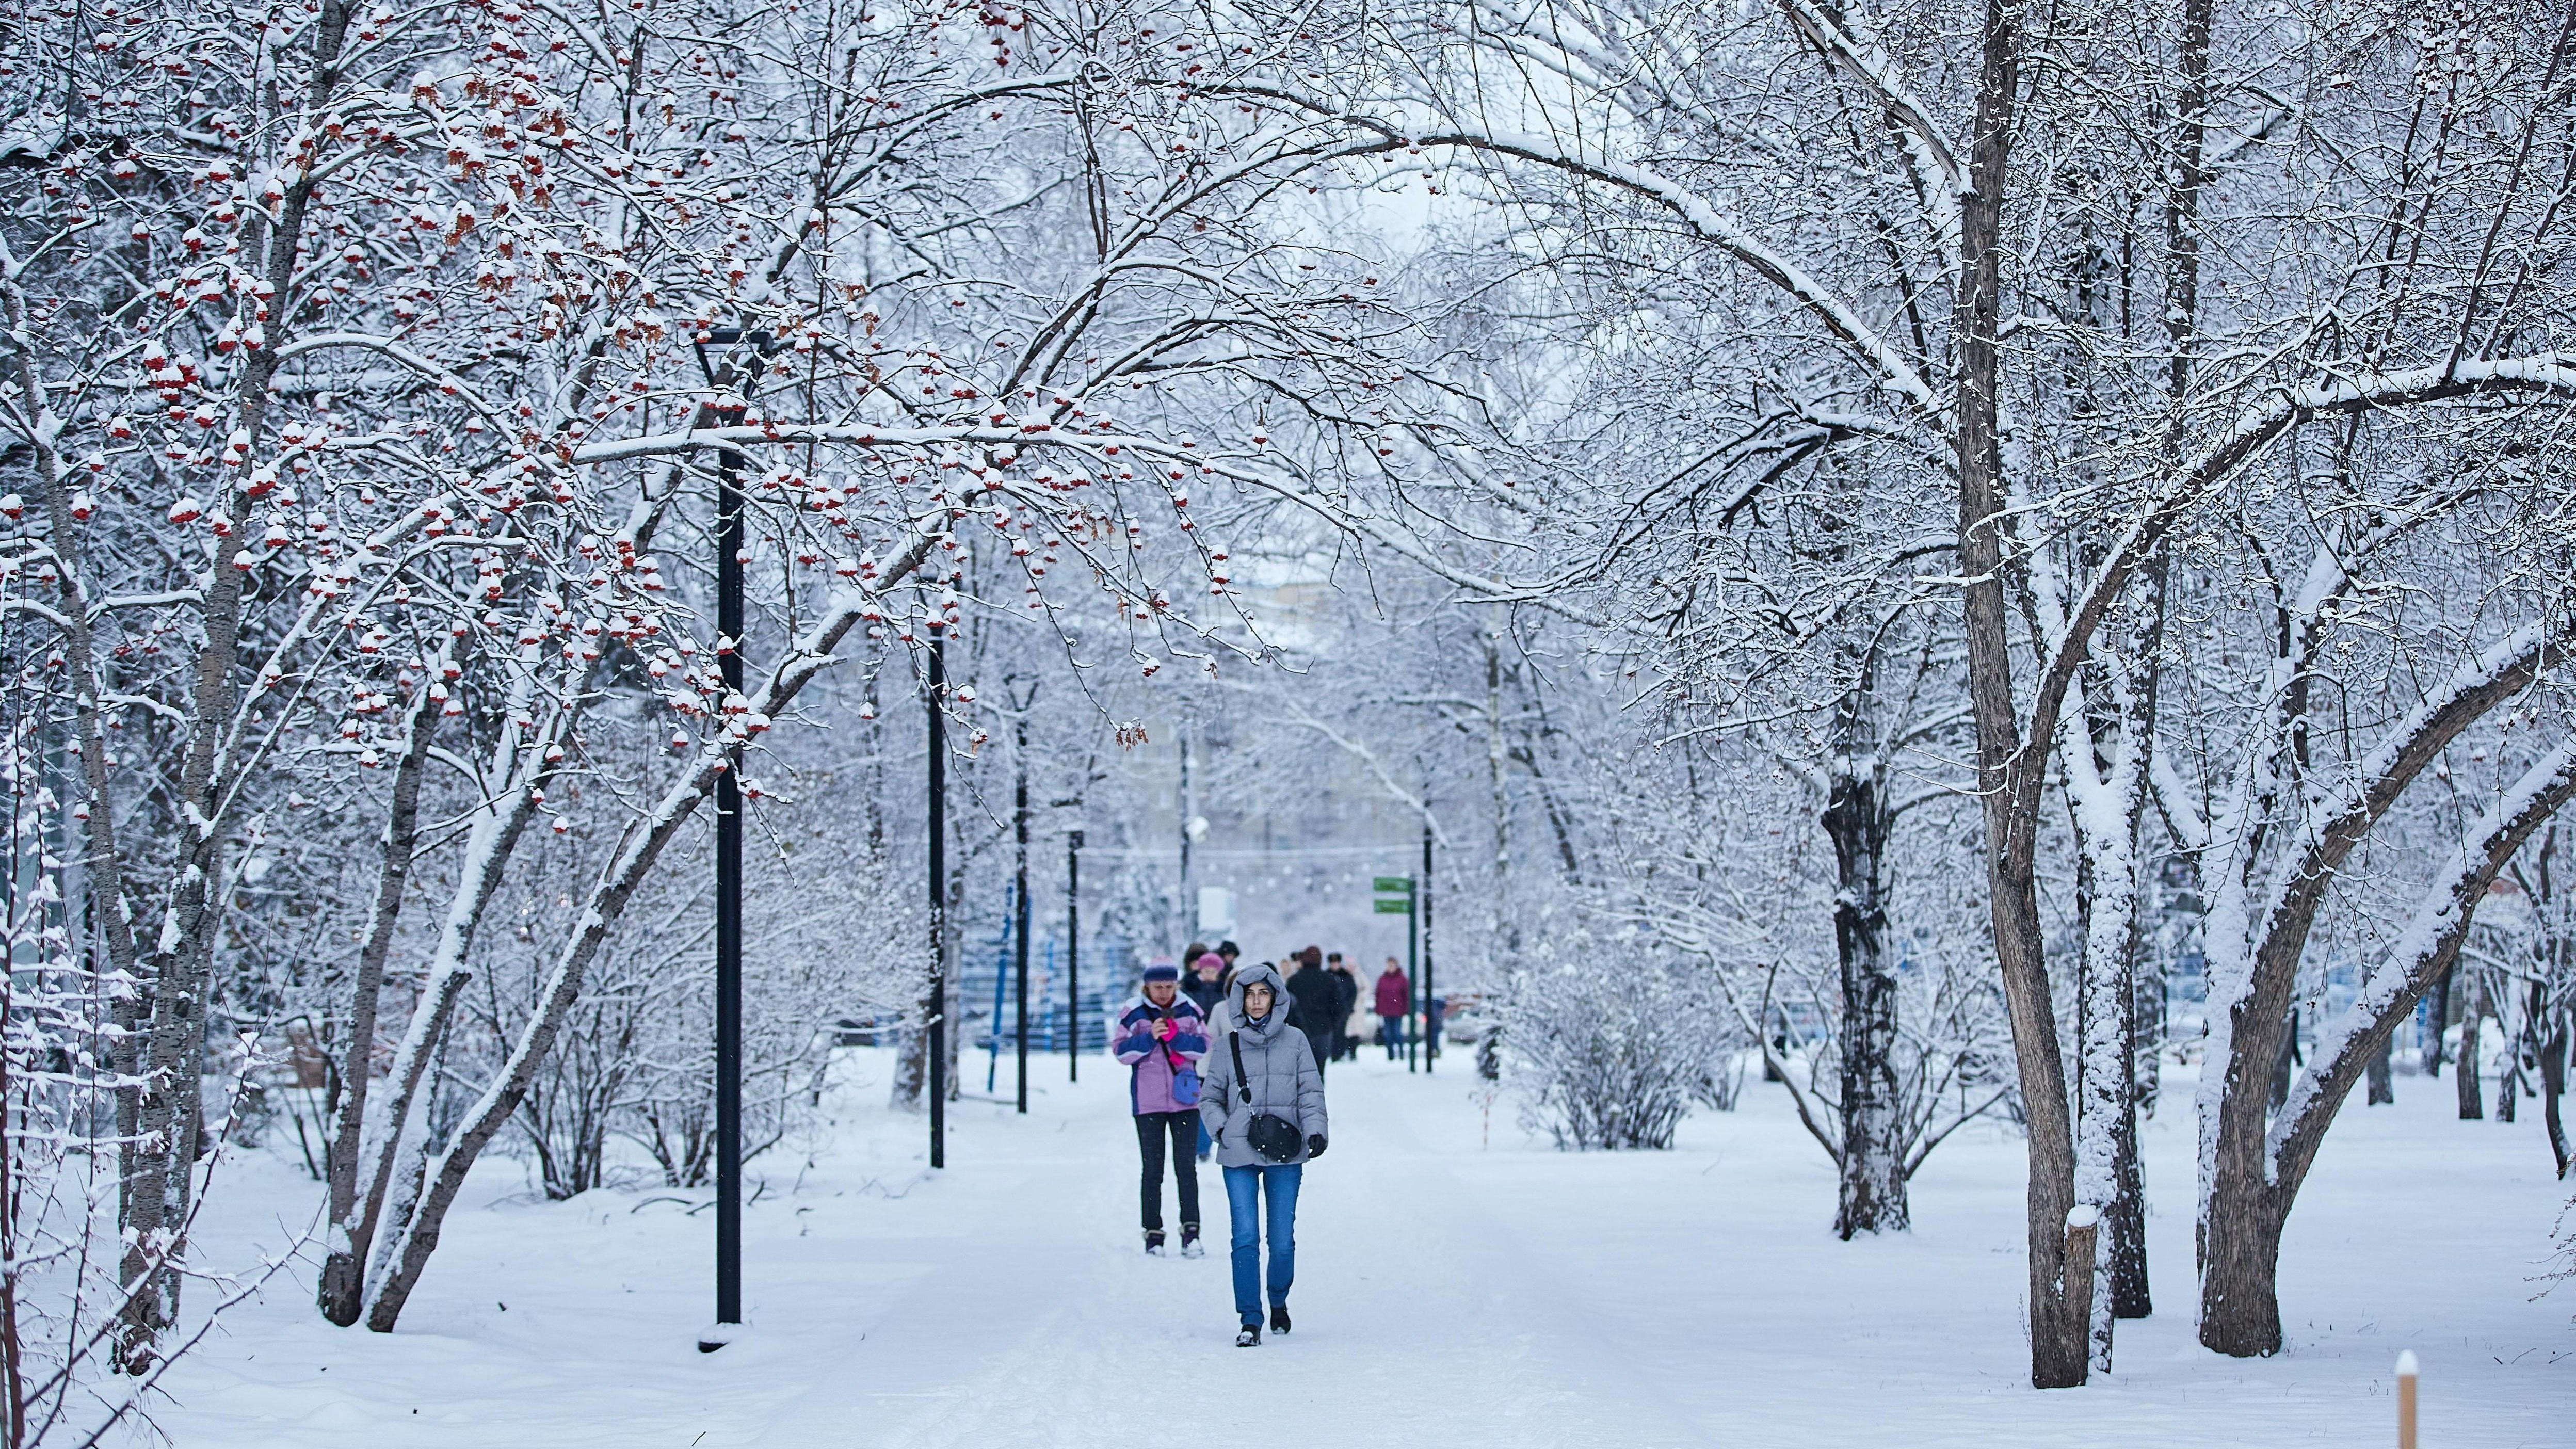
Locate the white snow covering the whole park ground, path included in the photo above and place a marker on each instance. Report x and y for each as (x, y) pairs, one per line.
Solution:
(1452, 1290)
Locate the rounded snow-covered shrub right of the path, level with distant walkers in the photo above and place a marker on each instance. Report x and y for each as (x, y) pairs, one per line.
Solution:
(1611, 1051)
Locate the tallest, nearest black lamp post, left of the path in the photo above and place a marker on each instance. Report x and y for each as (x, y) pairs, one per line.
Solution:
(728, 844)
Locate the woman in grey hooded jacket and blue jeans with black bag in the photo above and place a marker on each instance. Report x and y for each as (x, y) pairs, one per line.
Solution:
(1264, 1102)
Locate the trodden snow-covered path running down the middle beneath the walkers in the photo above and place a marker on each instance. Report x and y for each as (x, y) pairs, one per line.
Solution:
(1418, 1327)
